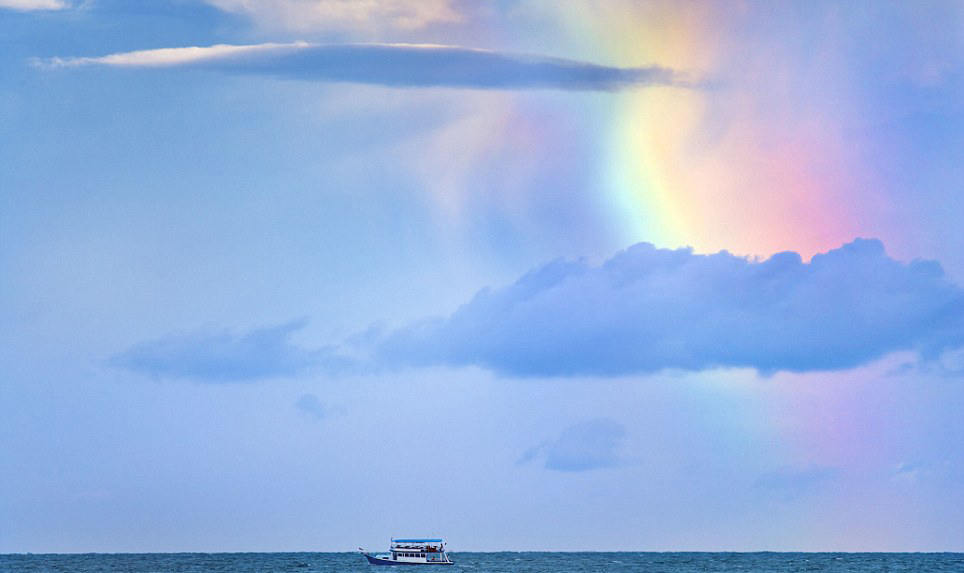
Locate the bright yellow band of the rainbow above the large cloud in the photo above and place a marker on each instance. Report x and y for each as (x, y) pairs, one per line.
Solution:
(650, 127)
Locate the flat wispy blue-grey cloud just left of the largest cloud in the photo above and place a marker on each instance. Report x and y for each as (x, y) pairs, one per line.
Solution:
(222, 356)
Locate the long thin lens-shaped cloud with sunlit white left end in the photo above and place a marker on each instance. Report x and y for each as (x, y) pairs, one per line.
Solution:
(397, 65)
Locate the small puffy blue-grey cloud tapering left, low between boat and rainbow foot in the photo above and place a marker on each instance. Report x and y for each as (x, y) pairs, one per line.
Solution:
(589, 445)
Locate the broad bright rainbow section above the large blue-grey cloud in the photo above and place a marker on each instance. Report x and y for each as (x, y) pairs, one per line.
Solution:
(708, 168)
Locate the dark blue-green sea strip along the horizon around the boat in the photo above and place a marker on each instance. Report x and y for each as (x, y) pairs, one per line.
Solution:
(524, 562)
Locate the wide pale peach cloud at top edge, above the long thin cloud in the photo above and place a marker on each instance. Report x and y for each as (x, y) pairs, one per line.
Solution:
(348, 15)
